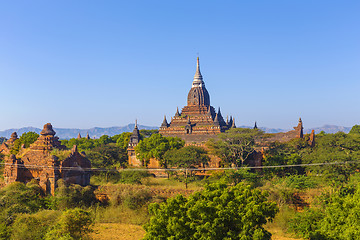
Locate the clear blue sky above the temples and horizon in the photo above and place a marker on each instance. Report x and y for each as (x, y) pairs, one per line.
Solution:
(81, 64)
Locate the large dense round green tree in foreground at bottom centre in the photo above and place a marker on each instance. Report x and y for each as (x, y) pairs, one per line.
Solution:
(217, 212)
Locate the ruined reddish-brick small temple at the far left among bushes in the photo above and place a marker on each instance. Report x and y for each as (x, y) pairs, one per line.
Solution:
(39, 162)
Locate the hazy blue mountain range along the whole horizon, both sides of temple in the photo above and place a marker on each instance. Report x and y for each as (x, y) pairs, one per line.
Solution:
(96, 132)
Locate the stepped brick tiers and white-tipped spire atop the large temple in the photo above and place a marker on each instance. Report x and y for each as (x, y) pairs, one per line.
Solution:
(198, 121)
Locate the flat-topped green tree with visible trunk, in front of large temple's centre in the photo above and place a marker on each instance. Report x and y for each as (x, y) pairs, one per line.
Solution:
(186, 158)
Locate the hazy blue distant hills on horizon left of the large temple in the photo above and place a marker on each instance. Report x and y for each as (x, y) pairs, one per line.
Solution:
(67, 133)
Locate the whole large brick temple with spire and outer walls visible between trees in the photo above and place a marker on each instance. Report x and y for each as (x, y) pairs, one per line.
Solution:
(198, 121)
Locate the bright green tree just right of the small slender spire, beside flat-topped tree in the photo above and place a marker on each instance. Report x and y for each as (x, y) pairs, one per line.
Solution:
(156, 146)
